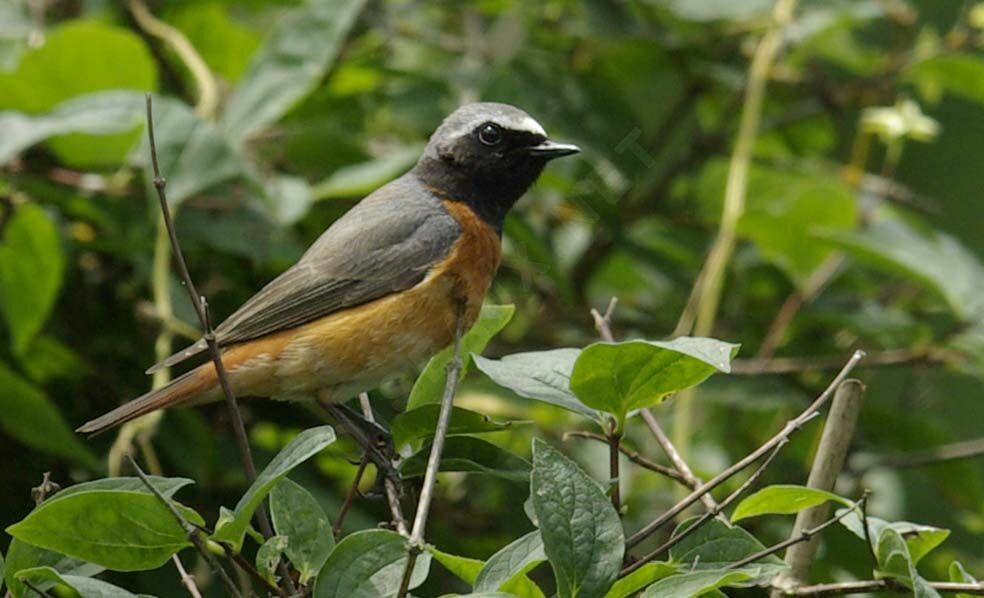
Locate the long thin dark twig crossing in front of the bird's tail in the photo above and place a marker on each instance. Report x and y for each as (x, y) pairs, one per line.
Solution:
(201, 309)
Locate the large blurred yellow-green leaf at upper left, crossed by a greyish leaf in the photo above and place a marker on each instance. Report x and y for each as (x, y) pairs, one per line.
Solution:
(79, 57)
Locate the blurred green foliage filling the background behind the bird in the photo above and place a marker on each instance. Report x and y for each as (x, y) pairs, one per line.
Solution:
(864, 226)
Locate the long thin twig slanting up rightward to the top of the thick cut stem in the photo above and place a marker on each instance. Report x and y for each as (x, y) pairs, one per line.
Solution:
(790, 427)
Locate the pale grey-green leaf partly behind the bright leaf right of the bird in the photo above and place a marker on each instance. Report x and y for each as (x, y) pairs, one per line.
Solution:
(539, 375)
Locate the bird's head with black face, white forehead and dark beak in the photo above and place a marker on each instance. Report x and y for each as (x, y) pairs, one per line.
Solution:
(488, 154)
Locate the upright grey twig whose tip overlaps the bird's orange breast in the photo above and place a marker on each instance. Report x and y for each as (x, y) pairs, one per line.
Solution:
(434, 460)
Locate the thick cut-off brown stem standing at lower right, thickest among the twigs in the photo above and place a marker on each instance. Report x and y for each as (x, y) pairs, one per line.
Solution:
(838, 431)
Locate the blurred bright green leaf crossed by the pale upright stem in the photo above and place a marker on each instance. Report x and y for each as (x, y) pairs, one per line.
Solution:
(783, 208)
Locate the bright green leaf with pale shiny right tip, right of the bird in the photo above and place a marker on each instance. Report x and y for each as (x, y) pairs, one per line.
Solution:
(621, 377)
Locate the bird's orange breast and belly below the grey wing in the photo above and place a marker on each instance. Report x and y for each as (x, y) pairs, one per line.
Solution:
(354, 349)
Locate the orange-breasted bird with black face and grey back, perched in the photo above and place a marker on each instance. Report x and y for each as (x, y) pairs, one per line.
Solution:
(386, 286)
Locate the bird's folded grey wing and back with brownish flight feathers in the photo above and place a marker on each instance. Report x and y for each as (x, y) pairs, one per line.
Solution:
(387, 243)
